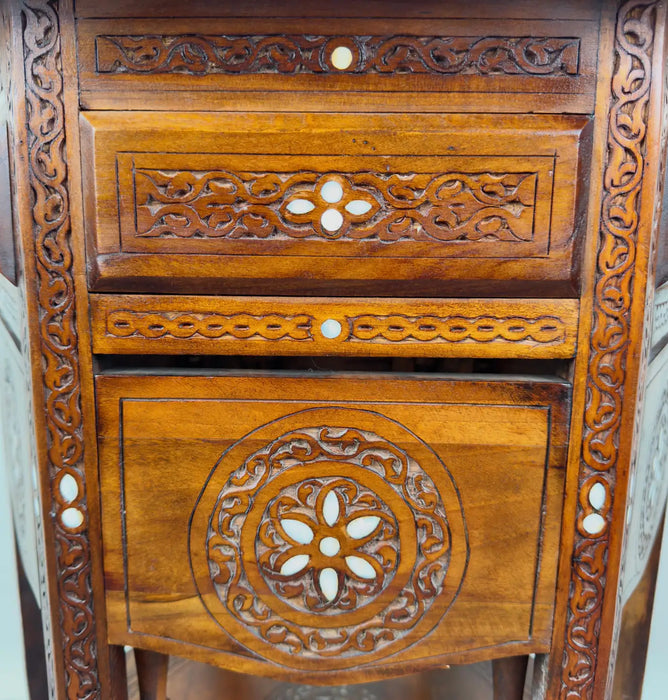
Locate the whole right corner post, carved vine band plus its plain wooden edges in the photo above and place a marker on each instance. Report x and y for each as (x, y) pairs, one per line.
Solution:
(621, 274)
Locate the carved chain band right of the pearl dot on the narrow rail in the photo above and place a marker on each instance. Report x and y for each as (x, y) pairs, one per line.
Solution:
(457, 329)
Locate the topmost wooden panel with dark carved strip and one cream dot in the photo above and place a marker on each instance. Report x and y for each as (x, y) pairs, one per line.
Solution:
(351, 57)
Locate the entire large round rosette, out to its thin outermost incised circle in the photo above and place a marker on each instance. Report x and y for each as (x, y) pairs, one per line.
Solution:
(329, 533)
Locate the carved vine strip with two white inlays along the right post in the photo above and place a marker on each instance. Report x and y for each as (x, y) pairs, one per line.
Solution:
(616, 258)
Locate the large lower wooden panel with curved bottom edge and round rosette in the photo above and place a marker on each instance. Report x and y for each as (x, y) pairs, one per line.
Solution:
(317, 525)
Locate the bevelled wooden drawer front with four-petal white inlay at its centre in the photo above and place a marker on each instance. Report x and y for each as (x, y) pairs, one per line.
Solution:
(334, 202)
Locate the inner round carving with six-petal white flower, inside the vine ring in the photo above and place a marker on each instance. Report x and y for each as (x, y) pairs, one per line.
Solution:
(328, 544)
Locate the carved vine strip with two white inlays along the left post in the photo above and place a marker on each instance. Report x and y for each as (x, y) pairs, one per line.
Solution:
(48, 180)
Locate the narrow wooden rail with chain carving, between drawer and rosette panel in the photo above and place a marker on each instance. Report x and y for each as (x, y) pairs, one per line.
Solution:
(510, 328)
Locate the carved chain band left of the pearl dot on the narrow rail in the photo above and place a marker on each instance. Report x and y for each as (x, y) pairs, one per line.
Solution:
(125, 324)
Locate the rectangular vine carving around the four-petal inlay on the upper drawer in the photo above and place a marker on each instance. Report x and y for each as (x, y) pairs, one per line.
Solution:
(412, 206)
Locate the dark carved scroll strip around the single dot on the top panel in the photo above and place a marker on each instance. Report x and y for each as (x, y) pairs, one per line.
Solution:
(296, 54)
